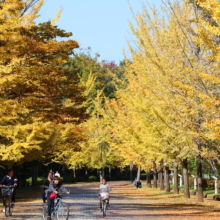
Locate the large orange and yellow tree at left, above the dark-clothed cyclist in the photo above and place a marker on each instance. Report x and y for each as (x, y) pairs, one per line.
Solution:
(40, 100)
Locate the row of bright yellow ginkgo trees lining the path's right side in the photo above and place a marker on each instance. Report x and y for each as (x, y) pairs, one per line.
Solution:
(166, 107)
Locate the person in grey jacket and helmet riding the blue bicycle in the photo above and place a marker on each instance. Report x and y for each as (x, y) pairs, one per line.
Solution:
(54, 187)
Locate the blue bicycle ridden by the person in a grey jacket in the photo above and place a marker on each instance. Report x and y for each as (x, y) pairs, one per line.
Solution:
(61, 210)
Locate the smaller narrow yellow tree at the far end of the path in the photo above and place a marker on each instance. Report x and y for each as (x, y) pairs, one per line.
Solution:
(96, 151)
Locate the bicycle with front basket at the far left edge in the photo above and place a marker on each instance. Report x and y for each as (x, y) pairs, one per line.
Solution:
(7, 192)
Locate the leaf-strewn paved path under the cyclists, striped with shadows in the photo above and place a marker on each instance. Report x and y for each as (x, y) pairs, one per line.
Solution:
(84, 204)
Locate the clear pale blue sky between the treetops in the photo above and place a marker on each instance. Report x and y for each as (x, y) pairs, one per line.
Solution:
(99, 24)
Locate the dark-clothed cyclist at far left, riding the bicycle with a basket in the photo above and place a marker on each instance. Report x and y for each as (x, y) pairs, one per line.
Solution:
(9, 180)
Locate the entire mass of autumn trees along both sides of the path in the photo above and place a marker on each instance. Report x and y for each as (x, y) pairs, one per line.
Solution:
(157, 110)
